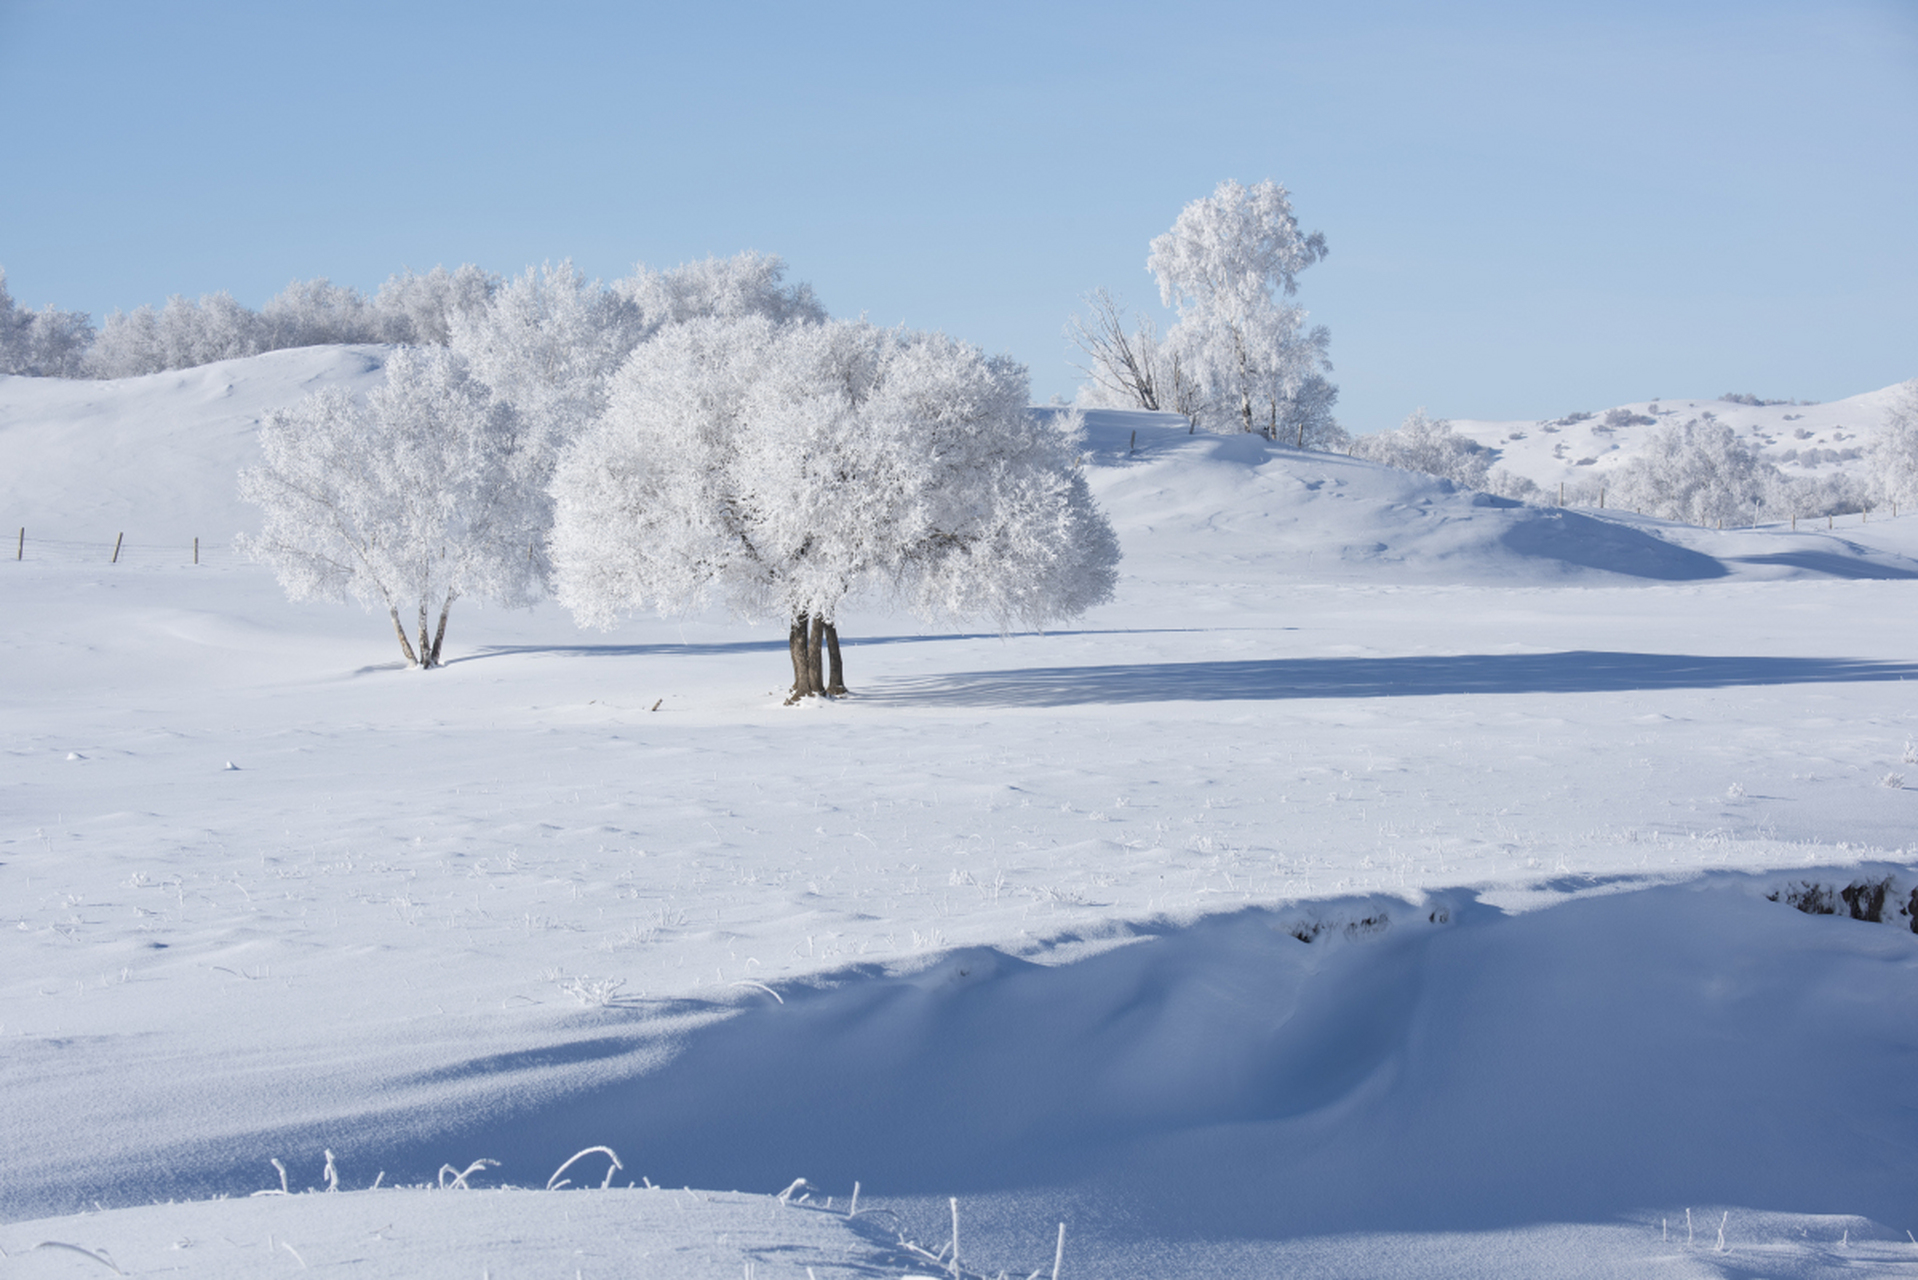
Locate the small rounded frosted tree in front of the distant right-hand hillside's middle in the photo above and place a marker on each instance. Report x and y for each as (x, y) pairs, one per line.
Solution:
(1698, 473)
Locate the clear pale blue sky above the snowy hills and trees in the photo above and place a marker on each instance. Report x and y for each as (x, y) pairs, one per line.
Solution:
(1532, 208)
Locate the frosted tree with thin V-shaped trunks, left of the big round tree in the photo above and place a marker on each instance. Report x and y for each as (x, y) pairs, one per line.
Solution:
(409, 500)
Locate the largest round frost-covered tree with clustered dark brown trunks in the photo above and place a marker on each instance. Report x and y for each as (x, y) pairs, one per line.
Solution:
(784, 469)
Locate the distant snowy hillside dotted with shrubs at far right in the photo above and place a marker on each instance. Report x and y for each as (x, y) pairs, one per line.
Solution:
(1800, 440)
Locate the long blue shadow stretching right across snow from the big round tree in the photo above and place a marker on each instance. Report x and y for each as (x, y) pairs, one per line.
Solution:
(1265, 680)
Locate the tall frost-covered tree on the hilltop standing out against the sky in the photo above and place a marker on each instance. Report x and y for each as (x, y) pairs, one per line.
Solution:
(1228, 266)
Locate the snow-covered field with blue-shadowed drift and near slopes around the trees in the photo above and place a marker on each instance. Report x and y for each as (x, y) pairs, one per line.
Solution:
(1382, 886)
